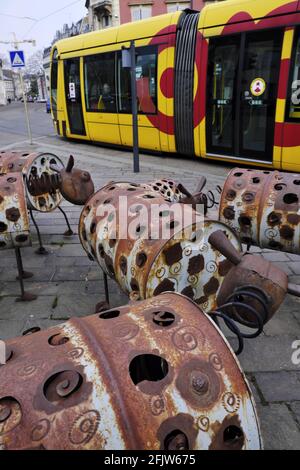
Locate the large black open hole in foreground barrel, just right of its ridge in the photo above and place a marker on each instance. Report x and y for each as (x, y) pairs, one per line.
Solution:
(149, 367)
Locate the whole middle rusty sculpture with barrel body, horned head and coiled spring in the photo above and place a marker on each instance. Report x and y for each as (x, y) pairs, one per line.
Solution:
(201, 260)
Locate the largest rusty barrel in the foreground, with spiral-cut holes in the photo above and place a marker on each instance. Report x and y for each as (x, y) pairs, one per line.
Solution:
(155, 374)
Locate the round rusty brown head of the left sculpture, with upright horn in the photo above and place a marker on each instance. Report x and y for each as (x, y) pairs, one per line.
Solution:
(76, 185)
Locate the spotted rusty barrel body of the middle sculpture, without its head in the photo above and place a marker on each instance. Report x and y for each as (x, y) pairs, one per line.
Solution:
(146, 265)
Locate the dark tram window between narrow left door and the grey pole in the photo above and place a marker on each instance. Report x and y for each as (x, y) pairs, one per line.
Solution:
(100, 88)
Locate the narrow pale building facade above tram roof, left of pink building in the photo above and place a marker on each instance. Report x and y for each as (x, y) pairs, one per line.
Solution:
(103, 13)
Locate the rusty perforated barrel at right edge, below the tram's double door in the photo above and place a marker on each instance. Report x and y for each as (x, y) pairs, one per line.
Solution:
(263, 208)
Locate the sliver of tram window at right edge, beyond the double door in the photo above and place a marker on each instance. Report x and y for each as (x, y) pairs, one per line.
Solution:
(294, 92)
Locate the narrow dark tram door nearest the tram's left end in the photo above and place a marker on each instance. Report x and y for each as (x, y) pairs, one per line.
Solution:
(73, 96)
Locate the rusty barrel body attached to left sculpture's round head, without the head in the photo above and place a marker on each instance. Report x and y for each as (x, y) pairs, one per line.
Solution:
(34, 167)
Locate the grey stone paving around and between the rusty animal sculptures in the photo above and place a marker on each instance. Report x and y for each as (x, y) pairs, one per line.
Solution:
(68, 284)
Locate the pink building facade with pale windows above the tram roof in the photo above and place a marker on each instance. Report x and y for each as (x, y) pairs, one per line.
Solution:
(134, 10)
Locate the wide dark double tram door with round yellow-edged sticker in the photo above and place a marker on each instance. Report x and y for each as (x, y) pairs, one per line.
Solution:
(242, 89)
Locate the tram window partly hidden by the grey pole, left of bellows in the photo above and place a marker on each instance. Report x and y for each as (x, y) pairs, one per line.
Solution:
(146, 83)
